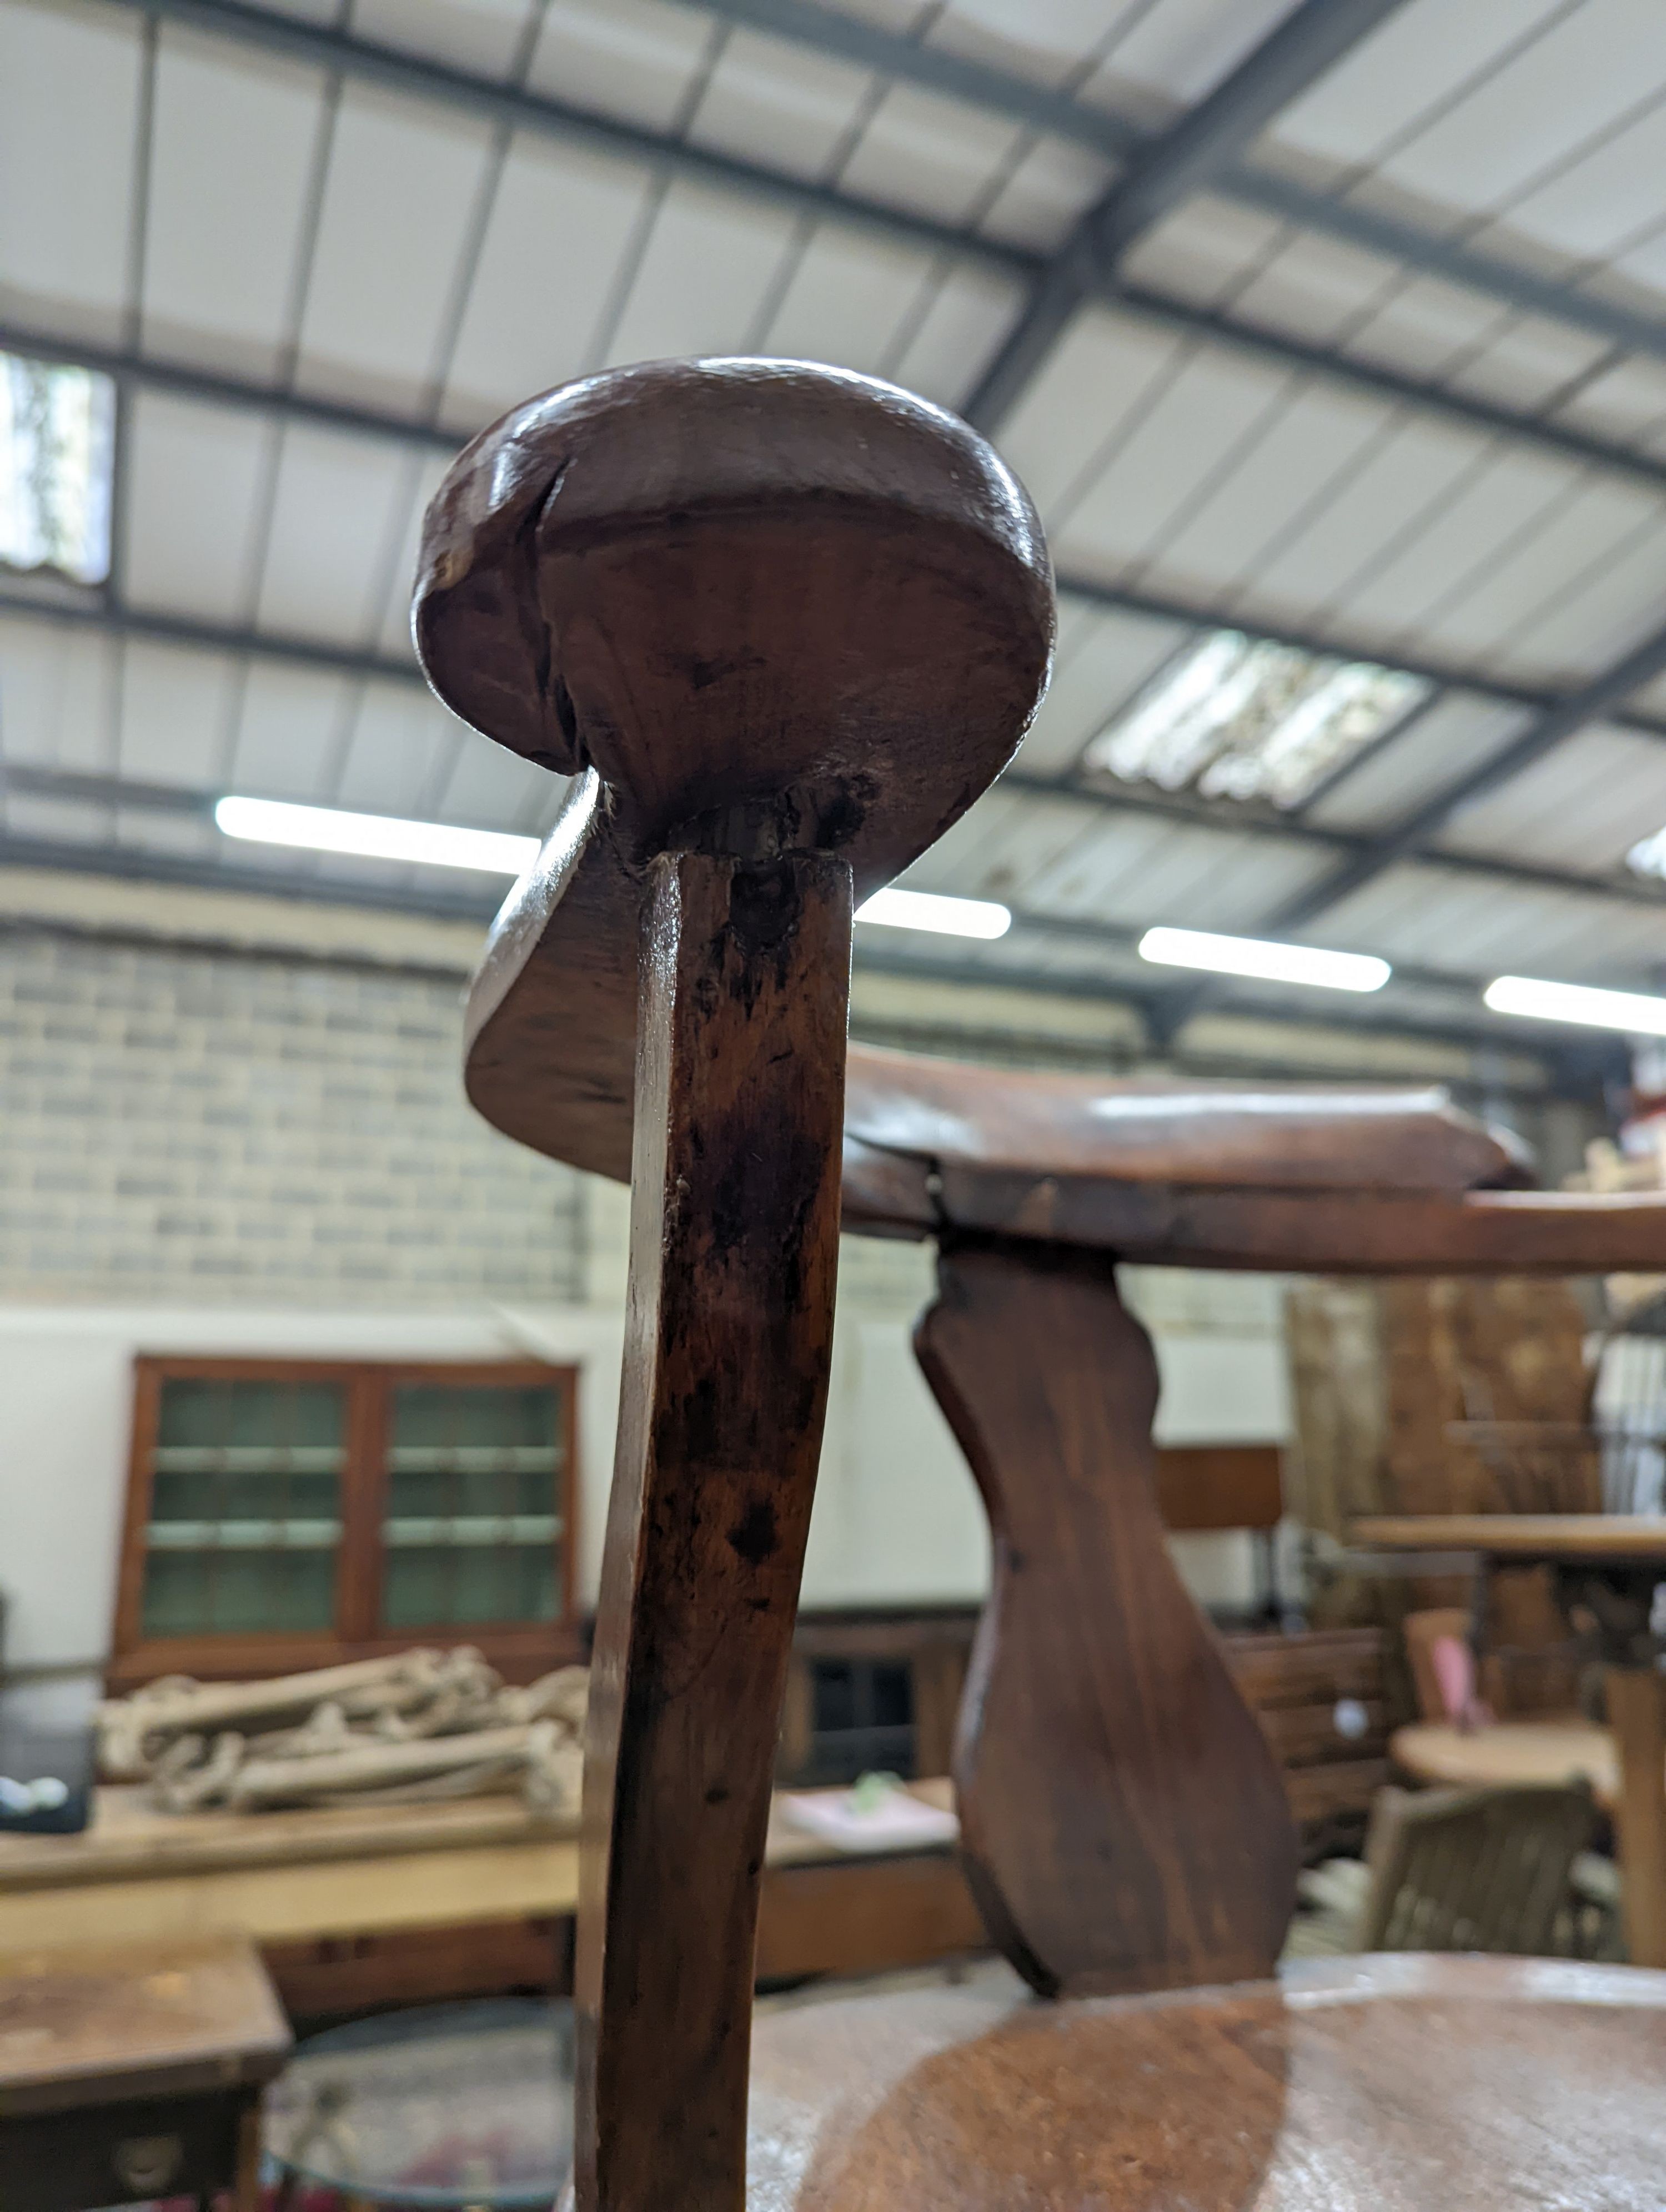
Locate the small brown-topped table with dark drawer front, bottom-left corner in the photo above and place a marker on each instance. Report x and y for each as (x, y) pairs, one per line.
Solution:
(132, 2074)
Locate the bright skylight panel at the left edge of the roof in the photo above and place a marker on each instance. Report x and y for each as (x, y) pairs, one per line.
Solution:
(56, 457)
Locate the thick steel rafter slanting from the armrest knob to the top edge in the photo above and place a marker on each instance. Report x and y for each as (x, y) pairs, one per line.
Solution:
(1160, 176)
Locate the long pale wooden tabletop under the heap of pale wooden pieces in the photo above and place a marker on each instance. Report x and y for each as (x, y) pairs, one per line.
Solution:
(129, 1839)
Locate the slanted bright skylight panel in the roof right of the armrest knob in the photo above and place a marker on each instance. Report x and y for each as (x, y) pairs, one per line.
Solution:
(1245, 718)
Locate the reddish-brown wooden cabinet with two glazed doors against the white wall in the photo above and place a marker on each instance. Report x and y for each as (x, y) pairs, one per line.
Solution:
(293, 1514)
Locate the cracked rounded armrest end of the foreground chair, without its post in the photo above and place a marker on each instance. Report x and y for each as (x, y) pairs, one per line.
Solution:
(753, 607)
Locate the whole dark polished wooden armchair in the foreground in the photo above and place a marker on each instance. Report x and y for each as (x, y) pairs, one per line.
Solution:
(784, 627)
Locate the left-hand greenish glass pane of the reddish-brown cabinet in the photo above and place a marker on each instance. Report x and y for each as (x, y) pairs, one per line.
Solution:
(244, 1521)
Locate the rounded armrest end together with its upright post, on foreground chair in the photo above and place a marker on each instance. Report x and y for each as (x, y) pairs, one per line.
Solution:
(782, 625)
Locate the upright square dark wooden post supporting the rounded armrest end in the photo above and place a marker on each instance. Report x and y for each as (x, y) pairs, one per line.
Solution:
(733, 1258)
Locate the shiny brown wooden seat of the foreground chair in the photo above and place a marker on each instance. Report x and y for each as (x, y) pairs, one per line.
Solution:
(1395, 2083)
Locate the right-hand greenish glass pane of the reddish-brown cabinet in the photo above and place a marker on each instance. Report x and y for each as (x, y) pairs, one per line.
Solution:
(472, 1530)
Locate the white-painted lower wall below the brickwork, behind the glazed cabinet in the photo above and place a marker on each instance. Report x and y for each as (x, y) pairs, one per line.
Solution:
(897, 1516)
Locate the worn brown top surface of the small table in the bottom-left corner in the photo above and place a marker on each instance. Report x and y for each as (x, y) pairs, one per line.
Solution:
(134, 2021)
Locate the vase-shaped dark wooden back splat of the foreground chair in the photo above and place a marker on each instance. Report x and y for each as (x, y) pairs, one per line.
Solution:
(1125, 1824)
